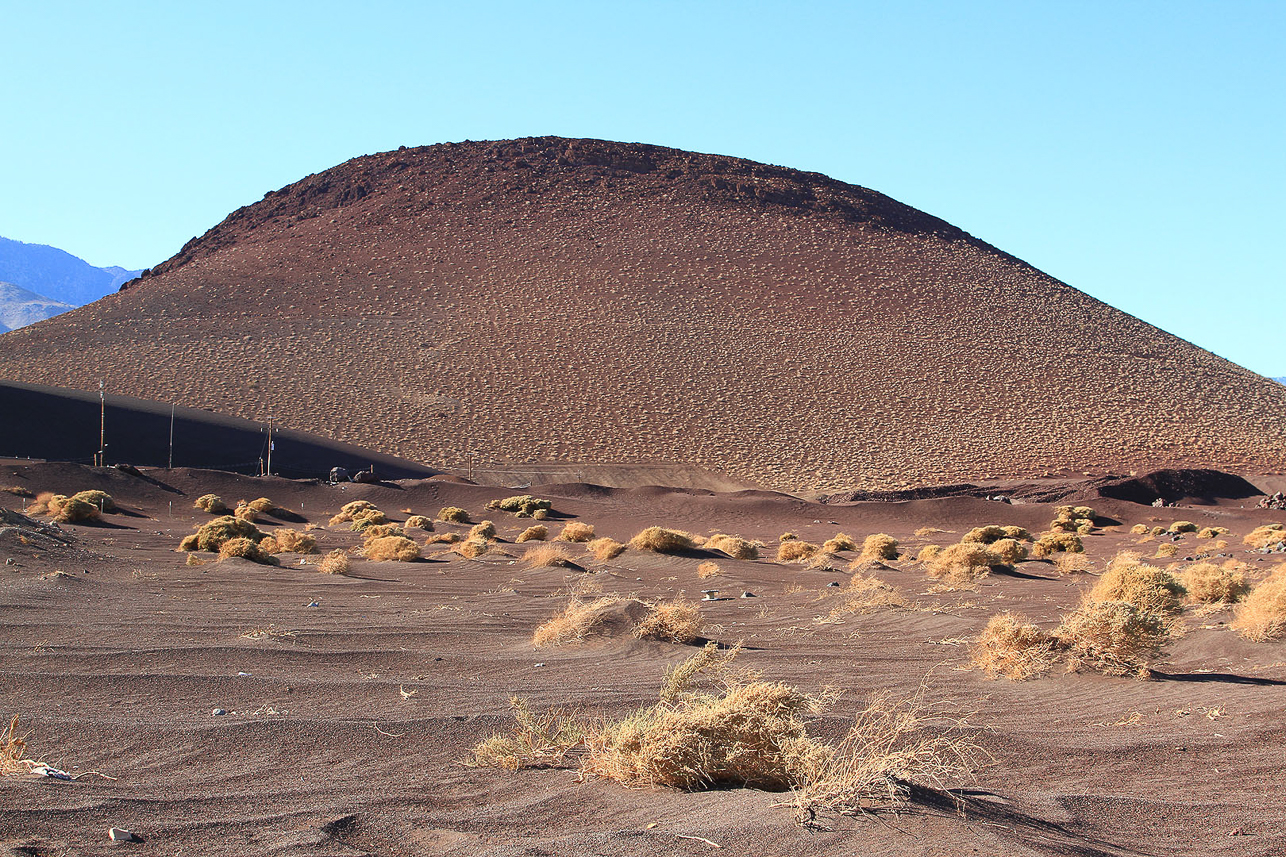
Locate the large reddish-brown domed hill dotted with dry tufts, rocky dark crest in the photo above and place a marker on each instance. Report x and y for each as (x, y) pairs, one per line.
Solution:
(578, 300)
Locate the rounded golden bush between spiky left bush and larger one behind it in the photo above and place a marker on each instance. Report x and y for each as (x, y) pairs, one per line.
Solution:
(1112, 638)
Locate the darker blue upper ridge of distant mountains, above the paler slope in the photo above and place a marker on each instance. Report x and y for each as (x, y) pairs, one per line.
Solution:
(56, 275)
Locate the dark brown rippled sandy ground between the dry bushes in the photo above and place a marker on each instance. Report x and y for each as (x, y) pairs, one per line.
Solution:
(350, 702)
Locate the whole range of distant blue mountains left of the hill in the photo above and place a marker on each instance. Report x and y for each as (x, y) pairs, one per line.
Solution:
(38, 282)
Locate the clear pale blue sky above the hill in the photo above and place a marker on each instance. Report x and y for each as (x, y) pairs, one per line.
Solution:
(1131, 150)
